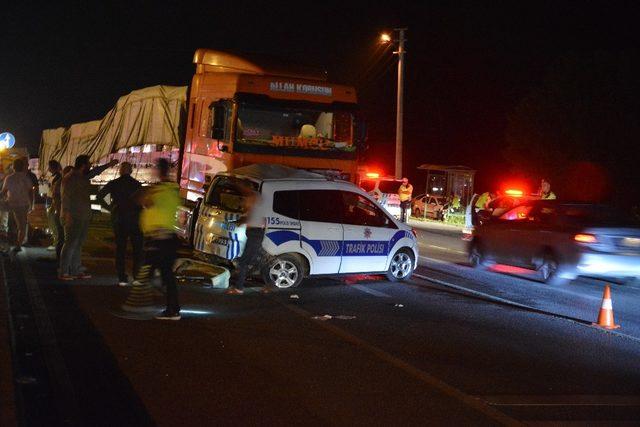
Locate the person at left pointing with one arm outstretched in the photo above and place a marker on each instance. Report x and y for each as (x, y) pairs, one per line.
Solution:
(75, 213)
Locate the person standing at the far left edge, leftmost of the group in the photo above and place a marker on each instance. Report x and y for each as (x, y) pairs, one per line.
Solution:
(18, 189)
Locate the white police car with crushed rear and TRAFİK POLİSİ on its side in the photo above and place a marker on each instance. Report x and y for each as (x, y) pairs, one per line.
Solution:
(314, 226)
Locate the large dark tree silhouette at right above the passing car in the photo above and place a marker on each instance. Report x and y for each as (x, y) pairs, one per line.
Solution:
(585, 111)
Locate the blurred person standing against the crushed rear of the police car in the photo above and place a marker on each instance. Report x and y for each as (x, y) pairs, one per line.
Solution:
(255, 220)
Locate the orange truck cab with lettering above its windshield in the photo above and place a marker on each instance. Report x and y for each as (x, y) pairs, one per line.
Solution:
(244, 111)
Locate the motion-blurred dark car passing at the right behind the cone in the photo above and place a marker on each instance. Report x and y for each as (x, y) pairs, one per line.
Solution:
(560, 240)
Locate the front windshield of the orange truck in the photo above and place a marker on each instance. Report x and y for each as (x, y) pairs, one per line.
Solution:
(281, 127)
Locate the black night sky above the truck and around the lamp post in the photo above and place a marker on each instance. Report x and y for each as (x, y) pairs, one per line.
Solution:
(468, 63)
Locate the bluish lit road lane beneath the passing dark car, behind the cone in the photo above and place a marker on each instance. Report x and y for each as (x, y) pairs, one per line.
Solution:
(443, 254)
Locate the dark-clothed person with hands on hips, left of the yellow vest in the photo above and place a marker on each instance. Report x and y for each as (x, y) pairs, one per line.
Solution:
(125, 218)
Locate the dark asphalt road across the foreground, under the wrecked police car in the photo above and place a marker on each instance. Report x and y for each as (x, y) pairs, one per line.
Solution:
(449, 347)
